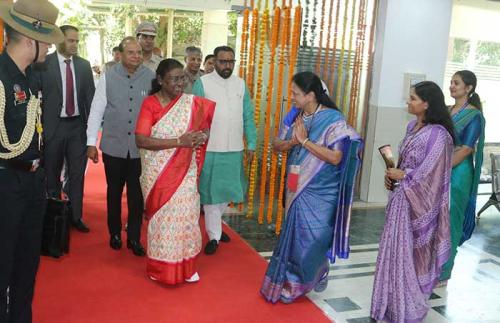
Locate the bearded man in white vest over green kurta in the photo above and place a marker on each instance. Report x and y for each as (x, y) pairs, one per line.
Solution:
(222, 178)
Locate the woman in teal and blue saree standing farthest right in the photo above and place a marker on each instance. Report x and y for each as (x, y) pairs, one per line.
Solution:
(466, 162)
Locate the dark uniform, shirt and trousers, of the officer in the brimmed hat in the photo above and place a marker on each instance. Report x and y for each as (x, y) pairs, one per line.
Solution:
(22, 196)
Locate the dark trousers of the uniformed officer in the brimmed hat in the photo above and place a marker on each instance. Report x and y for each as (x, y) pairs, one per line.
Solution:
(22, 207)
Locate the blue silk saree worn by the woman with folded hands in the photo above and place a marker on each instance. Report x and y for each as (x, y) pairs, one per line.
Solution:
(316, 228)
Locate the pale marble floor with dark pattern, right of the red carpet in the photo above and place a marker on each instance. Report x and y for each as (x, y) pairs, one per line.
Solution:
(472, 295)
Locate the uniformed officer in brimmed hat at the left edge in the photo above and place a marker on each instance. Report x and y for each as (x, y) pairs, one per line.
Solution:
(30, 29)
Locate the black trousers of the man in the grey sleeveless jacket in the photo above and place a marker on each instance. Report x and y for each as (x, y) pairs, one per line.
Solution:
(121, 171)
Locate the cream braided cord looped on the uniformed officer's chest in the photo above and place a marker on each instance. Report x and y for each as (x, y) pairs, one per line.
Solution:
(33, 122)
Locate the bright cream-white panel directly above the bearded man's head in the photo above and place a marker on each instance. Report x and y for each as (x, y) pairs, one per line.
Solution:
(214, 31)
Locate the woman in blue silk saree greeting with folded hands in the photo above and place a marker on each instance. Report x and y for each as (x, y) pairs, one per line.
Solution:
(323, 159)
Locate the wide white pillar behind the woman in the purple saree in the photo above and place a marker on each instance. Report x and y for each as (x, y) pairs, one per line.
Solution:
(412, 37)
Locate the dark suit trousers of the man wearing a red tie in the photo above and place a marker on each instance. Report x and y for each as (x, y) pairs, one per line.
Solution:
(68, 143)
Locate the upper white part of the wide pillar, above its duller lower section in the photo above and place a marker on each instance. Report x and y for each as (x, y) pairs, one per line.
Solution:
(412, 38)
